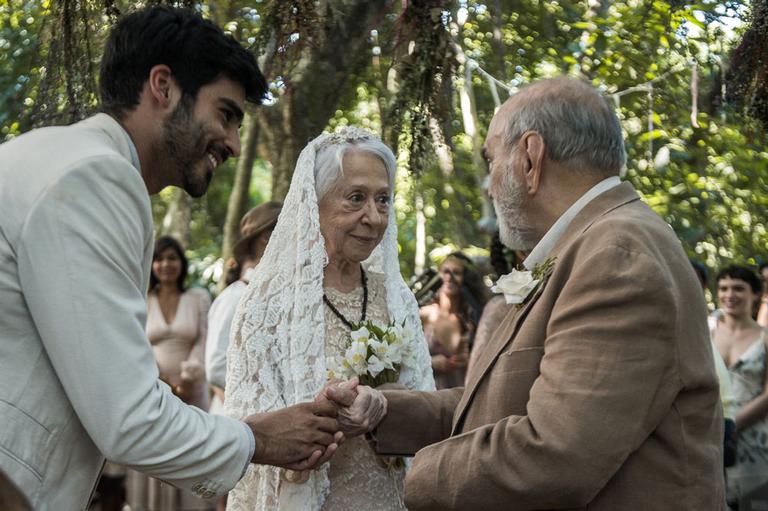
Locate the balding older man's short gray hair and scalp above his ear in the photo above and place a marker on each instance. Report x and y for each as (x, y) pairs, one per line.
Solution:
(578, 125)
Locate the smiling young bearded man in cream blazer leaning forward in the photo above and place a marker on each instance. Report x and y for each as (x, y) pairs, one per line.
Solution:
(78, 380)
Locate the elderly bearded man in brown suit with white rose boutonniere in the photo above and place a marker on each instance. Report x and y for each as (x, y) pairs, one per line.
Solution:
(597, 391)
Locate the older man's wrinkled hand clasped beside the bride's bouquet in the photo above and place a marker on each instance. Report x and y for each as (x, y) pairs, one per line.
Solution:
(363, 414)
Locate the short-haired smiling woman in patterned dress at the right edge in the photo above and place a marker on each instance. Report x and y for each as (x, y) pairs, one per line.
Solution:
(742, 344)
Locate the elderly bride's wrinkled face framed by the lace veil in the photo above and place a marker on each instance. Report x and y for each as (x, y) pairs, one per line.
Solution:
(354, 214)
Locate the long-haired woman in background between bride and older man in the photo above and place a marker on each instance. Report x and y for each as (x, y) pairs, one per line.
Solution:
(451, 322)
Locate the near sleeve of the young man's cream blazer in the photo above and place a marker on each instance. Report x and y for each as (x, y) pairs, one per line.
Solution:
(80, 265)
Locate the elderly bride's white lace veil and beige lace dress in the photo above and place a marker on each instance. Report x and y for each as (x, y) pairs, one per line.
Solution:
(282, 333)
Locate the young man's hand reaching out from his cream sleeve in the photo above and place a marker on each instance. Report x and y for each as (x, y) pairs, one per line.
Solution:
(300, 437)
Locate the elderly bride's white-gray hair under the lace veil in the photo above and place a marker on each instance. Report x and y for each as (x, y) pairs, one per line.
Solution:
(329, 168)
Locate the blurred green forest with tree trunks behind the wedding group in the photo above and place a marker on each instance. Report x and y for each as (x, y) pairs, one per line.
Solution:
(690, 80)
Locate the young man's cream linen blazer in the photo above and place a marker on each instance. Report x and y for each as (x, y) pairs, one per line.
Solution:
(78, 380)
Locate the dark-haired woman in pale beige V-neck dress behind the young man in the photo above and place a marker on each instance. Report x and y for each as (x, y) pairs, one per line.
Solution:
(176, 328)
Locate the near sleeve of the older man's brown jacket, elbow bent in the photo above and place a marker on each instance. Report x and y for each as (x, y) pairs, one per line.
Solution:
(607, 378)
